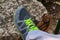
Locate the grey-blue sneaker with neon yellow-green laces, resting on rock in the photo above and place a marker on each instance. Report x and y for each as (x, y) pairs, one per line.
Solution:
(23, 22)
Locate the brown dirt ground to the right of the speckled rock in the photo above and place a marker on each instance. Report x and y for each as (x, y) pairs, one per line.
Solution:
(53, 8)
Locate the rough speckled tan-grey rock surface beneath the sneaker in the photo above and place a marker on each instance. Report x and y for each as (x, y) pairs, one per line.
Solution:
(8, 31)
